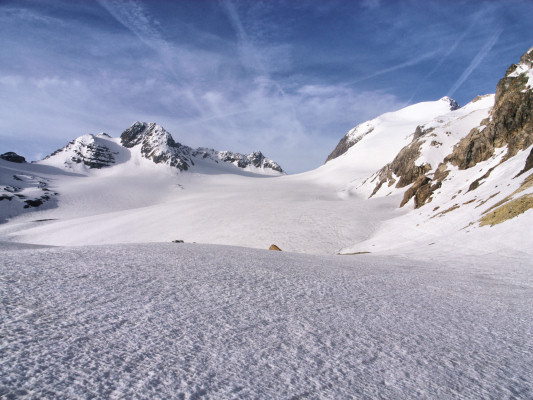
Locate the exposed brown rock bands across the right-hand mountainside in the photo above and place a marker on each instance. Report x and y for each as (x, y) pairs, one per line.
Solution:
(509, 126)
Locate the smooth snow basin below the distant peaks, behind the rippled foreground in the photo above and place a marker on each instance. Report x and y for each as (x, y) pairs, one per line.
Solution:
(141, 204)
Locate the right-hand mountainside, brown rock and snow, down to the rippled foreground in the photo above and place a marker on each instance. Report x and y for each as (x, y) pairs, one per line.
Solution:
(466, 177)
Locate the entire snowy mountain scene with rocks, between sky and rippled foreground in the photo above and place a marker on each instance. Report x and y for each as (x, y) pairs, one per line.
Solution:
(424, 180)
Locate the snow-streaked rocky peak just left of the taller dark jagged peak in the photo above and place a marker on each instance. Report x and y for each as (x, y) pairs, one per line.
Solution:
(87, 150)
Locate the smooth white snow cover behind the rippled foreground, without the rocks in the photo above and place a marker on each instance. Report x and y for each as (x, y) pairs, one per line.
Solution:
(325, 211)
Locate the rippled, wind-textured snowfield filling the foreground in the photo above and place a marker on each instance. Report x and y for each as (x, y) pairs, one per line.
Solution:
(193, 321)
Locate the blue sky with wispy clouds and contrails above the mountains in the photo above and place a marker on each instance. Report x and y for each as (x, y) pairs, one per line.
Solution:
(288, 78)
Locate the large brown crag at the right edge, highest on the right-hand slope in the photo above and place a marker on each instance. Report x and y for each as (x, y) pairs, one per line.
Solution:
(511, 122)
